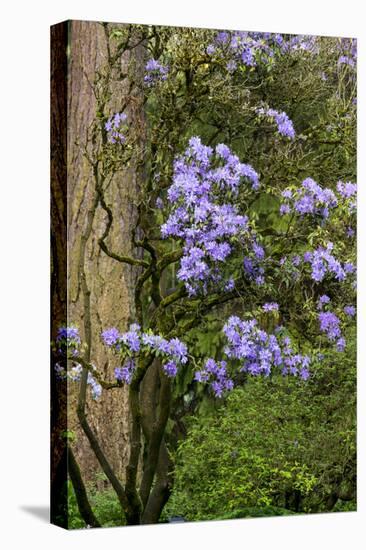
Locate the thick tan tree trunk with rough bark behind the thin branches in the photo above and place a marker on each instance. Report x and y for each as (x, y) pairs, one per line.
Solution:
(110, 284)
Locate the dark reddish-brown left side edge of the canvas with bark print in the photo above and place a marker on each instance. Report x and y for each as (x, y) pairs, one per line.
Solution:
(58, 262)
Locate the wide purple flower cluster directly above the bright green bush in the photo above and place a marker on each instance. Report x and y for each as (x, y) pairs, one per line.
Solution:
(260, 352)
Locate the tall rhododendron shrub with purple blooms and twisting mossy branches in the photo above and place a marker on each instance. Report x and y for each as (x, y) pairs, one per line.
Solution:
(244, 242)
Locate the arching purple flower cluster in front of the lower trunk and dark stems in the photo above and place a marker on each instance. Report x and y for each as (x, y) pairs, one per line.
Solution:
(133, 342)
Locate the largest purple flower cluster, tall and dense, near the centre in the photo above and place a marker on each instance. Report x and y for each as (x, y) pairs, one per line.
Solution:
(203, 179)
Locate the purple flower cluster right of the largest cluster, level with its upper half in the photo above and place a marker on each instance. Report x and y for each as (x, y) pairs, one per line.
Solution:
(309, 198)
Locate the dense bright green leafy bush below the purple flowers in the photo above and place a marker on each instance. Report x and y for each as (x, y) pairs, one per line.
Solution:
(275, 443)
